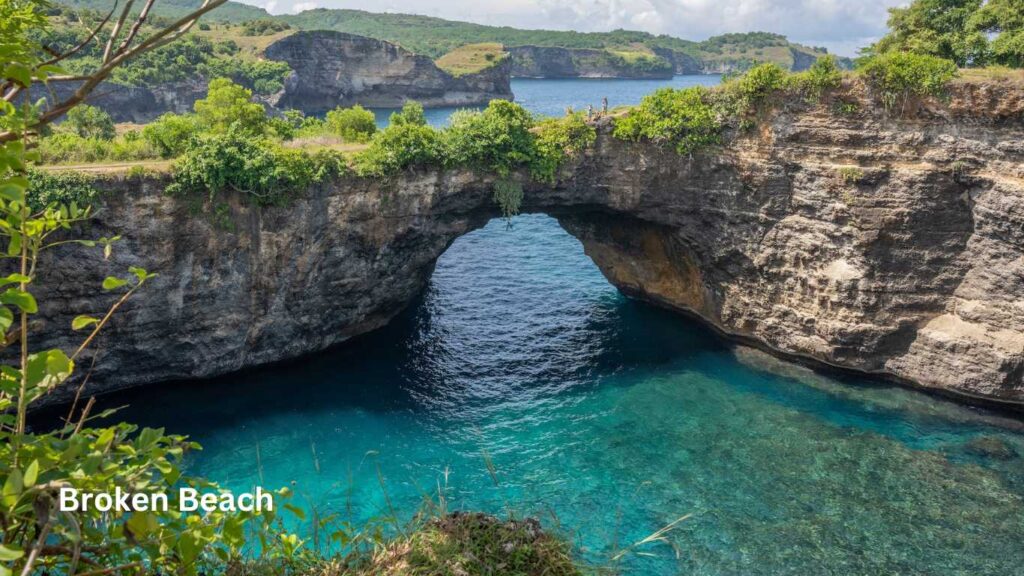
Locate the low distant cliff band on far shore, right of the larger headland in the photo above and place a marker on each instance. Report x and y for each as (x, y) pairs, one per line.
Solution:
(543, 62)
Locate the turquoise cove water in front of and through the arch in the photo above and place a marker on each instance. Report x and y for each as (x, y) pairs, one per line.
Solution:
(616, 419)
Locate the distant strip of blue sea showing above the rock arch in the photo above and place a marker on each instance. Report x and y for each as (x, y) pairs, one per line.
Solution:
(551, 98)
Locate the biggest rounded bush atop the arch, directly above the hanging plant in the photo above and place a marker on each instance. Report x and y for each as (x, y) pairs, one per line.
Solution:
(498, 139)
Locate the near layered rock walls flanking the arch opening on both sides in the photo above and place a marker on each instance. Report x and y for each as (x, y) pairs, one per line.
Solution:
(890, 245)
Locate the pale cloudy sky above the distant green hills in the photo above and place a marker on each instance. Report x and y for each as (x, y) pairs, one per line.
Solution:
(841, 26)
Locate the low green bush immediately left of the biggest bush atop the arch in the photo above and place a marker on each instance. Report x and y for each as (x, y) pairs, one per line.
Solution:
(400, 147)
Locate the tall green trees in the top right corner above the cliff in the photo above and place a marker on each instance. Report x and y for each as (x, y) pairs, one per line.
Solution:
(971, 33)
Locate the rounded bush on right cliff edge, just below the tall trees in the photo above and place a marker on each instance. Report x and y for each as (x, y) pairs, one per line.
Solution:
(901, 76)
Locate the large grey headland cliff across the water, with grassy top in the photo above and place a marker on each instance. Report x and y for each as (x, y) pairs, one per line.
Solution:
(332, 69)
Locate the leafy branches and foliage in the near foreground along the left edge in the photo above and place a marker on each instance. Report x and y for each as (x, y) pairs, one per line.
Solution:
(36, 537)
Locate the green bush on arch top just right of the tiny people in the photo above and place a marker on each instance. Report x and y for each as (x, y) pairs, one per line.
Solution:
(684, 119)
